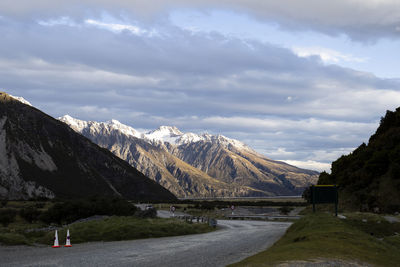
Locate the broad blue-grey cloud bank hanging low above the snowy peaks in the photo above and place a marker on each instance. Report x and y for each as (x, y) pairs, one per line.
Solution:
(288, 107)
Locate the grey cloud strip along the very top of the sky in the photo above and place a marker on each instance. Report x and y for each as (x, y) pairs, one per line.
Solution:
(365, 21)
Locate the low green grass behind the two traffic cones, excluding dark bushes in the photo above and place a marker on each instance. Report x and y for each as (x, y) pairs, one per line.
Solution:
(110, 229)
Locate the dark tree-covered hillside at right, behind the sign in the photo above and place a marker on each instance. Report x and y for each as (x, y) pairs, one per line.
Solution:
(369, 177)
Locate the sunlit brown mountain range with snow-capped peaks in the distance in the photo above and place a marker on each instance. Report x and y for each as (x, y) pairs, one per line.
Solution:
(196, 165)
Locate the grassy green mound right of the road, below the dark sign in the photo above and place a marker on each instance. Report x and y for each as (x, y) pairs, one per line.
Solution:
(322, 235)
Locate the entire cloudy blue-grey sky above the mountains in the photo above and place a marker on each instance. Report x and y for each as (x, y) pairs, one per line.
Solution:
(300, 81)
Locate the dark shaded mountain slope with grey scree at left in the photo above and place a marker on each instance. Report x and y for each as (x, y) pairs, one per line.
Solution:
(42, 157)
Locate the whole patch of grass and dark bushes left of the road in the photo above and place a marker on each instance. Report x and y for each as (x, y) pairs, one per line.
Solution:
(32, 223)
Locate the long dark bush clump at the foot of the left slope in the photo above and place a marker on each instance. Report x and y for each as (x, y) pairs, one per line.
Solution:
(70, 211)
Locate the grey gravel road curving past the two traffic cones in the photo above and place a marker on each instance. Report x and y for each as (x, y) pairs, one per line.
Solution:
(234, 242)
